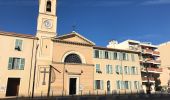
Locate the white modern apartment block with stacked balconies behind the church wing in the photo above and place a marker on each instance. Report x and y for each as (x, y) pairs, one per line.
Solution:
(149, 61)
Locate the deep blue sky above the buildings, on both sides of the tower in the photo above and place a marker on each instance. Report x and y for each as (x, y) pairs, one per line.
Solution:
(97, 20)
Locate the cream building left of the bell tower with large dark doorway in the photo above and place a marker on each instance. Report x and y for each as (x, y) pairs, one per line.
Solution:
(16, 59)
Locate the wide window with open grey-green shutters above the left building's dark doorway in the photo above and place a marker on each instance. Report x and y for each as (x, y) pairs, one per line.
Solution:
(16, 63)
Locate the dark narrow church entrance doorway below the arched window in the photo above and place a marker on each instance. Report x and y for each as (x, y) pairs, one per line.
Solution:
(72, 86)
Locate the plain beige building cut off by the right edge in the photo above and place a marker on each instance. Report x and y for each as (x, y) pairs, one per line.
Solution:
(165, 63)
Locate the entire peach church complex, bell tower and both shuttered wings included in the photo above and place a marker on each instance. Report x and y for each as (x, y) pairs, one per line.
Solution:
(65, 65)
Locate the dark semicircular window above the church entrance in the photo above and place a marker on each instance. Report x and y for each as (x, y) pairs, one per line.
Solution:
(72, 58)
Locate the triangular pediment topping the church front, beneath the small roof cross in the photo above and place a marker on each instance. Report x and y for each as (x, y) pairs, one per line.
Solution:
(75, 37)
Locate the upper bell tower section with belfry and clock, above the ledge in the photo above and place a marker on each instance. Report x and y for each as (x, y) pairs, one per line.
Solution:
(47, 19)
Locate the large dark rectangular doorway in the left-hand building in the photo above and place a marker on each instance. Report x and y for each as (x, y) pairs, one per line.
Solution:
(13, 87)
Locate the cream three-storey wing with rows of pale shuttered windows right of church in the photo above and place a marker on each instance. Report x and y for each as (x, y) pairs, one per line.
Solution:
(116, 71)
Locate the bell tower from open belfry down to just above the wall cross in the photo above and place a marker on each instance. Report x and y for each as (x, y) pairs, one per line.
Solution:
(46, 28)
